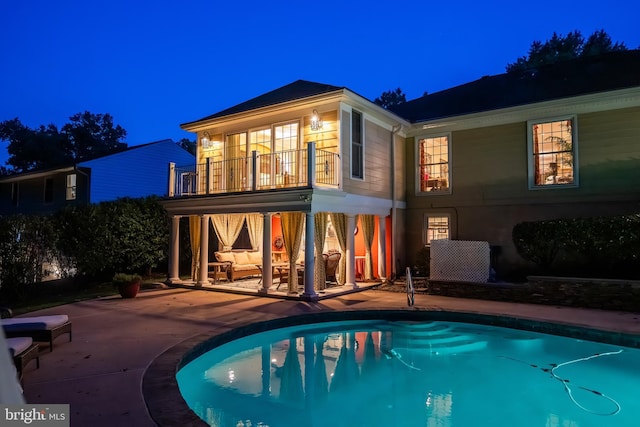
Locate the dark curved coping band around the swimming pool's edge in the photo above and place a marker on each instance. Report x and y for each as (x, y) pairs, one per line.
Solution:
(168, 408)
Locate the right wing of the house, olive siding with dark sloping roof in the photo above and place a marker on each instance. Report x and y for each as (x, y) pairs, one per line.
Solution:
(560, 141)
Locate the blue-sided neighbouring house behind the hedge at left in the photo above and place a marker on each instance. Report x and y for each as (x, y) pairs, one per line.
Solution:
(135, 172)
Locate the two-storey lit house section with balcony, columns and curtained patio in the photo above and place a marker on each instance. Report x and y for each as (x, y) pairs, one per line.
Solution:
(306, 153)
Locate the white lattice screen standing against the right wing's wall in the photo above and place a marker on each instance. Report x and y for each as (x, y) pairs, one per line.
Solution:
(460, 260)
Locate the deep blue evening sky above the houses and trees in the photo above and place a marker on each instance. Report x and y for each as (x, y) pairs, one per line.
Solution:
(155, 64)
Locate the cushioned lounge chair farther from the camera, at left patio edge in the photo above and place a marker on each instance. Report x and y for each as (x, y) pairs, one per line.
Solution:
(40, 329)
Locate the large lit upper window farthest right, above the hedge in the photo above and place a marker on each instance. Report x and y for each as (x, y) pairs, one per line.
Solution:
(552, 153)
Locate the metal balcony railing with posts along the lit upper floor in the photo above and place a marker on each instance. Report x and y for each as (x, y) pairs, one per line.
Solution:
(284, 169)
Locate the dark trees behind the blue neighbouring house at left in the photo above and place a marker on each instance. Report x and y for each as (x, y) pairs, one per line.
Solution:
(87, 135)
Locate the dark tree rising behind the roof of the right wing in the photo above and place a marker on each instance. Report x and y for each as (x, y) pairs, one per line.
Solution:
(561, 48)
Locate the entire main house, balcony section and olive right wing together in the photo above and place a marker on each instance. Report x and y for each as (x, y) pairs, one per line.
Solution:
(467, 163)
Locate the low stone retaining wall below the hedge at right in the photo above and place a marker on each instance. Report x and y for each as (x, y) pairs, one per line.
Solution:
(620, 295)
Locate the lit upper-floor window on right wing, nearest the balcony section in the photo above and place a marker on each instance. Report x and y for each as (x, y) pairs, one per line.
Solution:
(433, 164)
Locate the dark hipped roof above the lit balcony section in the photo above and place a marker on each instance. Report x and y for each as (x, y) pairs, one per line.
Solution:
(296, 90)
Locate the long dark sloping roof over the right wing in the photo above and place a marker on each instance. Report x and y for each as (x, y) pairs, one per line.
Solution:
(606, 72)
